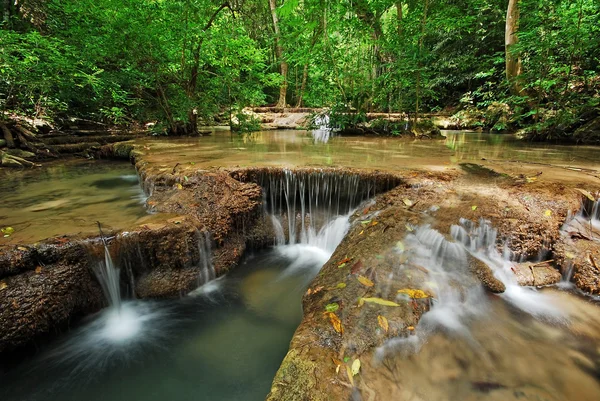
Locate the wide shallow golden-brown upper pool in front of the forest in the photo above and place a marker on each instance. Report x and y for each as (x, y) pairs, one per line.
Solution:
(300, 148)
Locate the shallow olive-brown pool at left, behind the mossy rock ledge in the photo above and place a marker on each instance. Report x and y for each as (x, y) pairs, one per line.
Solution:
(69, 198)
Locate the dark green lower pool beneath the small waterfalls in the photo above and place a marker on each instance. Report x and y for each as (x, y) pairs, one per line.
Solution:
(224, 342)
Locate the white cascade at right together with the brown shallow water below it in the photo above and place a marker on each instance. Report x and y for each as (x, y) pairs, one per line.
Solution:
(523, 344)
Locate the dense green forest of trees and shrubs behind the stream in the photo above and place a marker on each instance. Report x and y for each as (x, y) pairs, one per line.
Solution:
(513, 63)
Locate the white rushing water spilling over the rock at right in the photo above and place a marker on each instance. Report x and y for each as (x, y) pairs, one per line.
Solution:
(459, 300)
